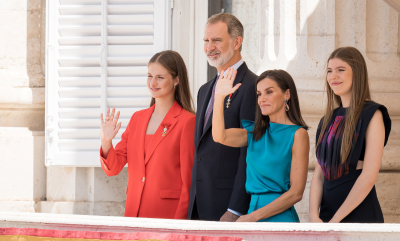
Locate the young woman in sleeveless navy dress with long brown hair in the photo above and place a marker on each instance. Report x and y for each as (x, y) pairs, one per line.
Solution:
(349, 145)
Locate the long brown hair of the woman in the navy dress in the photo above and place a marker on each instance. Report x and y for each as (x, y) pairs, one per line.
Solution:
(359, 93)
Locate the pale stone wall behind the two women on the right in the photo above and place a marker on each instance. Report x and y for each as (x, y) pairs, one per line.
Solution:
(298, 36)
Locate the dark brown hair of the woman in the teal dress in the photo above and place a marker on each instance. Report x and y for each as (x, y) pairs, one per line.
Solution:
(285, 82)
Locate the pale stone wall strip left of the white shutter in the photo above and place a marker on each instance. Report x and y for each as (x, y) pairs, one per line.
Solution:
(23, 174)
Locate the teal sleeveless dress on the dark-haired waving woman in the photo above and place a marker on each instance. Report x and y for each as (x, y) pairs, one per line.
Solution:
(268, 167)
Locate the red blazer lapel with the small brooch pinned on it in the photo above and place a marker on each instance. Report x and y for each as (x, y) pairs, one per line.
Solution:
(168, 122)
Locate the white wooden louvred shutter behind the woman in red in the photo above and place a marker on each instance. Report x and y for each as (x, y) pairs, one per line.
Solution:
(97, 55)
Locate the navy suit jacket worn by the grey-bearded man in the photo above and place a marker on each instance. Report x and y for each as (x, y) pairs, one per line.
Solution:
(219, 172)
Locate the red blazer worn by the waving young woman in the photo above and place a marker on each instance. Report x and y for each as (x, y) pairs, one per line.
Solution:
(158, 185)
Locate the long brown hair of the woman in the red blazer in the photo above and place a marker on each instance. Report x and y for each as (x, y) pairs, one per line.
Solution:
(174, 64)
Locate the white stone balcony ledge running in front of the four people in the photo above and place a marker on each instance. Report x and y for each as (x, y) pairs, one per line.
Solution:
(247, 231)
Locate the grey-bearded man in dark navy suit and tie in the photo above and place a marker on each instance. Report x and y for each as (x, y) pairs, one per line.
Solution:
(219, 172)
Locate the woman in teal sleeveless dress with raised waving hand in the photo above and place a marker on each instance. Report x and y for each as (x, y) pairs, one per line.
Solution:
(278, 145)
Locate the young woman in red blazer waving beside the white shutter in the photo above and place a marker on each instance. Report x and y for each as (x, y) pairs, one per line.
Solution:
(157, 145)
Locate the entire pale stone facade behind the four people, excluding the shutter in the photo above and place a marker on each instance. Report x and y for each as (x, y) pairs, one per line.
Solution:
(293, 35)
